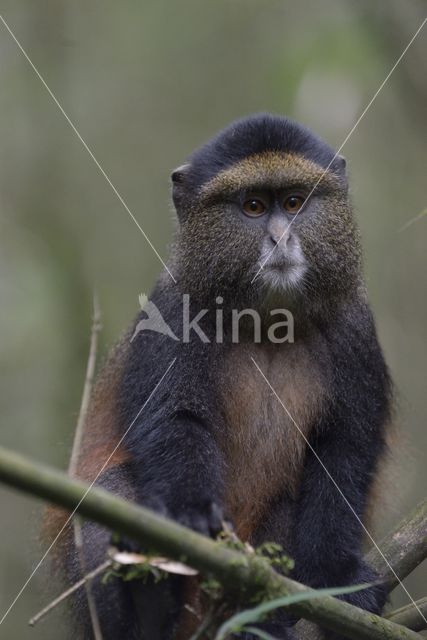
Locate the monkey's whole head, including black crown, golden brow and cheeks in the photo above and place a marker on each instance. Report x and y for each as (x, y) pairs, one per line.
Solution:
(263, 210)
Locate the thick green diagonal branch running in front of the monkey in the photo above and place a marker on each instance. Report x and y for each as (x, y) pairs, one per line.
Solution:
(243, 576)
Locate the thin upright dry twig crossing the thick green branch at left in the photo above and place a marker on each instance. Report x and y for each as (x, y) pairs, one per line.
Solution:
(75, 453)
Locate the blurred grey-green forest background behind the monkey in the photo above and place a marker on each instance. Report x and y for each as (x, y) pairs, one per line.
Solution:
(145, 82)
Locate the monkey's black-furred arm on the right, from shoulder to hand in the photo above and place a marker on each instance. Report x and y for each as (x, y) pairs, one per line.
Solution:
(349, 440)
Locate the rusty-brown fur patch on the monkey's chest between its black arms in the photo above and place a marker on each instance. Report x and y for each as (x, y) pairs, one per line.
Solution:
(266, 423)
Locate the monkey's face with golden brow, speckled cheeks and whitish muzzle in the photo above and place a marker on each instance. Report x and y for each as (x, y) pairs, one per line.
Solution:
(273, 236)
